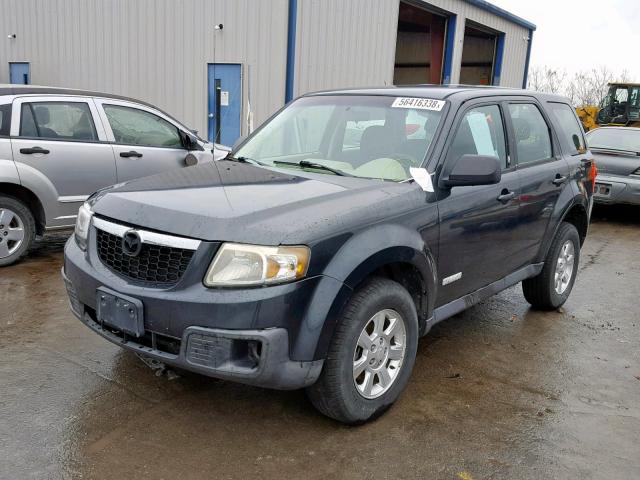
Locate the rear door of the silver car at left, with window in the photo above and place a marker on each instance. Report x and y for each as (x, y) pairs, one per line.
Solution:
(60, 142)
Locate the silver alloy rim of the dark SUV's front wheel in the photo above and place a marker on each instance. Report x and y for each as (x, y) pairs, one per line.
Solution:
(379, 353)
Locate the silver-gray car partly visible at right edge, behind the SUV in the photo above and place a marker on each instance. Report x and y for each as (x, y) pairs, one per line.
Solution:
(617, 153)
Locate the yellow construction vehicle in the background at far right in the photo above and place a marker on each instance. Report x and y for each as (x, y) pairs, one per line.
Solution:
(621, 107)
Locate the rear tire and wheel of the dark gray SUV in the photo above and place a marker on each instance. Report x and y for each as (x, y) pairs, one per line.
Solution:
(541, 291)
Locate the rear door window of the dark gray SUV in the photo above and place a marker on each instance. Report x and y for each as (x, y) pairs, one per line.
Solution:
(533, 141)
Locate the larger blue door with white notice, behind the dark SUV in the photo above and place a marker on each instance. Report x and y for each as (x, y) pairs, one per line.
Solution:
(225, 102)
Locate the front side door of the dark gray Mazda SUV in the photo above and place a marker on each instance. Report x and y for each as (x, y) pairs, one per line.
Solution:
(476, 244)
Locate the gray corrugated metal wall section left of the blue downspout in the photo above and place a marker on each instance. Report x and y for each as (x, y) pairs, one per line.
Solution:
(154, 50)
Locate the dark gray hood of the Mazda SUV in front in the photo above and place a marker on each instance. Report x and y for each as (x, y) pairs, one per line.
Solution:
(231, 201)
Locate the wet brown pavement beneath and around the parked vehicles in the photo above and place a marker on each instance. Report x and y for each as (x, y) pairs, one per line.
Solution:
(499, 391)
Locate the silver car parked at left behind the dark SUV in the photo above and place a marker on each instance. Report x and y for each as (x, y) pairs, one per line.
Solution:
(57, 146)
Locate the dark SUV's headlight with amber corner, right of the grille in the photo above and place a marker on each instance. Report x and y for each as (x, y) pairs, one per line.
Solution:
(246, 265)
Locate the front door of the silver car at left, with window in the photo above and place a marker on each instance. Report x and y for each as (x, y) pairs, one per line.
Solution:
(145, 141)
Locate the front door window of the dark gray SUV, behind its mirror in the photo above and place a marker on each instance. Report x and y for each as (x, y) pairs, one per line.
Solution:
(481, 132)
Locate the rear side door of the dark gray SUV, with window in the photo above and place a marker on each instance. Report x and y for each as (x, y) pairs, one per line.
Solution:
(542, 169)
